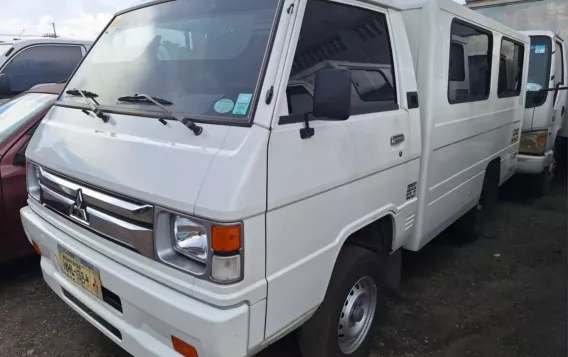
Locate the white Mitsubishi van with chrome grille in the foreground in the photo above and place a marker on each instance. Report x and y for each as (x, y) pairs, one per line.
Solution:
(249, 166)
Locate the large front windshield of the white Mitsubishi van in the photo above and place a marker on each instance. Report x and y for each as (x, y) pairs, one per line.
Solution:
(203, 56)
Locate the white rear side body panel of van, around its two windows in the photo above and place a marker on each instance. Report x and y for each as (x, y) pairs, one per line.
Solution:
(459, 140)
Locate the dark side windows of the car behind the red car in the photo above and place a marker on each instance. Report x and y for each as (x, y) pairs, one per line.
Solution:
(41, 64)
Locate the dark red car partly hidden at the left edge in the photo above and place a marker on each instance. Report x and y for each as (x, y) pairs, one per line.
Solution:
(18, 119)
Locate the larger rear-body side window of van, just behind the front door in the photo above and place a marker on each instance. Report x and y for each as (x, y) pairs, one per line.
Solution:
(469, 77)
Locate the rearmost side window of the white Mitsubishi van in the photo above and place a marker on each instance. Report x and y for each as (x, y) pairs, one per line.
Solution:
(510, 68)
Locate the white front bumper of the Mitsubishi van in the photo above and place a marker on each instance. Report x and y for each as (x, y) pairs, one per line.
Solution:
(151, 313)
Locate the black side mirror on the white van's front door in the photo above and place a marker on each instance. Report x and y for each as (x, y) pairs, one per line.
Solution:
(332, 94)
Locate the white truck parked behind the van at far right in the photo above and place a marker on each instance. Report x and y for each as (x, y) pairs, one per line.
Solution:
(544, 119)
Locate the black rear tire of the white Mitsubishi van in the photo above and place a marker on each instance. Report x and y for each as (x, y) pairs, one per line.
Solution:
(469, 227)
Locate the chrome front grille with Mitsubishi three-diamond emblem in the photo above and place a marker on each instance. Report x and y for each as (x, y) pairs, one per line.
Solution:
(124, 221)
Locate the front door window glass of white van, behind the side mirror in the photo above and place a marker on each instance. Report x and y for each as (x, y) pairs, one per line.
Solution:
(341, 36)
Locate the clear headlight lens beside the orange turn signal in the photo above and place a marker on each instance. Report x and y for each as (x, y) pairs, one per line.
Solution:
(190, 239)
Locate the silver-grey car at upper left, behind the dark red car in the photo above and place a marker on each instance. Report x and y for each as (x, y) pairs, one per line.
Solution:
(25, 63)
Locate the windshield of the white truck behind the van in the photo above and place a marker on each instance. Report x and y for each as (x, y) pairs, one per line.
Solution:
(539, 64)
